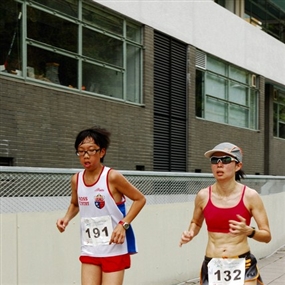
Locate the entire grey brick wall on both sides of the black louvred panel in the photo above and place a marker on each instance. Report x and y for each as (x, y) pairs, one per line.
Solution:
(39, 124)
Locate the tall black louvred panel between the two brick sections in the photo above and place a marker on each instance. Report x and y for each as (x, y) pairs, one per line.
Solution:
(169, 104)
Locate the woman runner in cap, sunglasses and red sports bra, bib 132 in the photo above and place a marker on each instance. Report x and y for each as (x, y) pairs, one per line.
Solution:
(227, 207)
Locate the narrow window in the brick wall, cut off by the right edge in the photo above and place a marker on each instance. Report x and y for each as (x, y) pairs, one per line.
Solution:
(279, 113)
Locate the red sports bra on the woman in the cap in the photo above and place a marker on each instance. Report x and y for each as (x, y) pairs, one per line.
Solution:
(217, 219)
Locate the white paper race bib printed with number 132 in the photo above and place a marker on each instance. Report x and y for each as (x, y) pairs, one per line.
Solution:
(226, 271)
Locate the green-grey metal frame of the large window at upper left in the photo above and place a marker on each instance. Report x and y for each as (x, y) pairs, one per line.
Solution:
(128, 41)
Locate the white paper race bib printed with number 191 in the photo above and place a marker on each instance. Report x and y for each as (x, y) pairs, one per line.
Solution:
(97, 230)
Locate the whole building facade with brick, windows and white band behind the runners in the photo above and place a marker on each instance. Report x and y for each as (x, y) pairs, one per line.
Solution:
(168, 79)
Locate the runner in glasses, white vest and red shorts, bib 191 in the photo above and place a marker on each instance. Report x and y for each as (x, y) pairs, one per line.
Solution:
(99, 194)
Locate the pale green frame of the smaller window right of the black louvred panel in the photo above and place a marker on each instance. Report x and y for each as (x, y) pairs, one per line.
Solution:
(205, 95)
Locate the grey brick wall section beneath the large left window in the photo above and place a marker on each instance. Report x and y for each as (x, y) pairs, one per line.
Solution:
(39, 125)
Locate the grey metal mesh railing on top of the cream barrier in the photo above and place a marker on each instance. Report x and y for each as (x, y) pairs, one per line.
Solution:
(28, 189)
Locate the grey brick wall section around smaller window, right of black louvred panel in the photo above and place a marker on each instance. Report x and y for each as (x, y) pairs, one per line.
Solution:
(204, 135)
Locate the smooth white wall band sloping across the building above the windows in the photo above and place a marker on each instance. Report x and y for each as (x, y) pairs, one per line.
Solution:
(211, 28)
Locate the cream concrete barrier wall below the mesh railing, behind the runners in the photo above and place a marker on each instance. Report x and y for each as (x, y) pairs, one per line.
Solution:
(33, 252)
